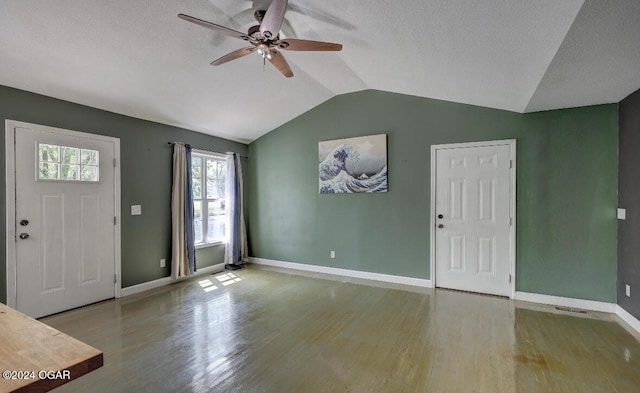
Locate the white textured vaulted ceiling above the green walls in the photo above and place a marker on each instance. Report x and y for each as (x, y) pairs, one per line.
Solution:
(137, 58)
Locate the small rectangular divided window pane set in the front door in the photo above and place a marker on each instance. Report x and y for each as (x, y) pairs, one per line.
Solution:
(68, 163)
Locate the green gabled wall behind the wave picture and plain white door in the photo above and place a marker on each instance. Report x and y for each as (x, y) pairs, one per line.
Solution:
(566, 190)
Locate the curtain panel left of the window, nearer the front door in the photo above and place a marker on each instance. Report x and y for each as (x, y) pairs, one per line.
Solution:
(183, 253)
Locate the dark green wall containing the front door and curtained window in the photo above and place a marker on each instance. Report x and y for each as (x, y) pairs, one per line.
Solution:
(146, 161)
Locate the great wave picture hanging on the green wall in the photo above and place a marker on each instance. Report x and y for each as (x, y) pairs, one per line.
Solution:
(353, 165)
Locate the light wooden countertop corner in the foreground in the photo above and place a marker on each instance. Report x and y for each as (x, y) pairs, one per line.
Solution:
(37, 358)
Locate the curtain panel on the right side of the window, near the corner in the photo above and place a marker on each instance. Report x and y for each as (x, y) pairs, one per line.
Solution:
(236, 250)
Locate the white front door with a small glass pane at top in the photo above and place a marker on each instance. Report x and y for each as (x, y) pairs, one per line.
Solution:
(64, 219)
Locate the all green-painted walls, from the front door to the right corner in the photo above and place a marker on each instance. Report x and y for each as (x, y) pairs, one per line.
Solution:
(566, 198)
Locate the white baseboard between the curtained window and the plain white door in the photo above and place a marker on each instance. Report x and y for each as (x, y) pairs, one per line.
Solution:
(416, 282)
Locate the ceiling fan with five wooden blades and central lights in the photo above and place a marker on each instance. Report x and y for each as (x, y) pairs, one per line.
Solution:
(265, 38)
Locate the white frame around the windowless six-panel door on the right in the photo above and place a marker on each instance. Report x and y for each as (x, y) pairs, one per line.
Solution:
(512, 205)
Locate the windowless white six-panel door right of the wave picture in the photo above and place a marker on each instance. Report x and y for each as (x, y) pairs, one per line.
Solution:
(473, 241)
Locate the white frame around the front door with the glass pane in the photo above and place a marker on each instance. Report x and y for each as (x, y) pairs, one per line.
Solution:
(10, 193)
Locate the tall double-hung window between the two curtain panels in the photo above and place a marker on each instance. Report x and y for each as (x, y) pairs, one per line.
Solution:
(208, 173)
